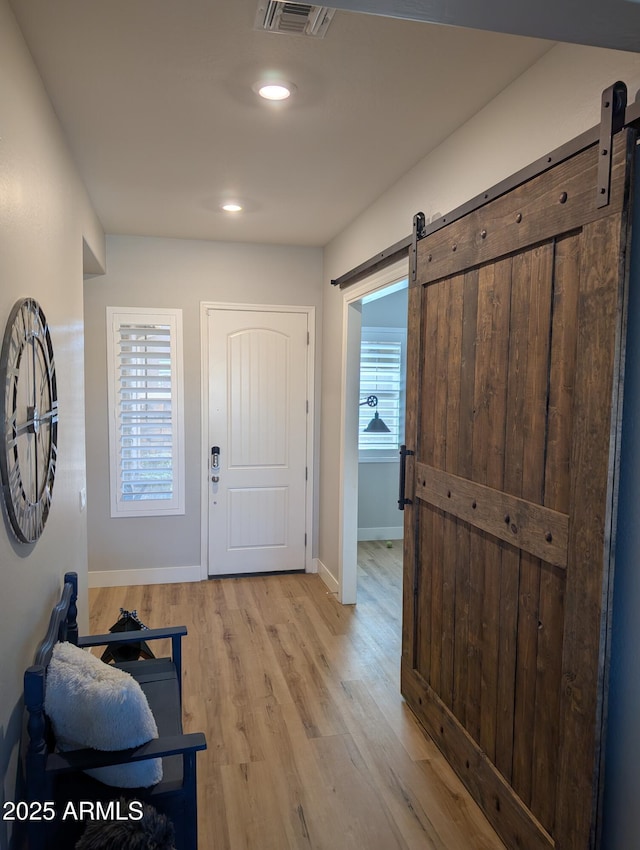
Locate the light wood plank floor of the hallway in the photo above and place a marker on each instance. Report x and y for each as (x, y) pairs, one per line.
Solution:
(309, 742)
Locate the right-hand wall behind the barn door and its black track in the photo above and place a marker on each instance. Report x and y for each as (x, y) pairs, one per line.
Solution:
(555, 100)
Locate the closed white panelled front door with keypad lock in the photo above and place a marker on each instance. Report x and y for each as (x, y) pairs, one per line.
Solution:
(258, 421)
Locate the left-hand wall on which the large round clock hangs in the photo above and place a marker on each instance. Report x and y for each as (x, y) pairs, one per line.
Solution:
(44, 216)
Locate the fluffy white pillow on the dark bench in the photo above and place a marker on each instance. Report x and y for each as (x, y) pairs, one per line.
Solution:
(91, 704)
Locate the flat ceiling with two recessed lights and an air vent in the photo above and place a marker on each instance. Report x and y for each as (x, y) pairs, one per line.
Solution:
(155, 99)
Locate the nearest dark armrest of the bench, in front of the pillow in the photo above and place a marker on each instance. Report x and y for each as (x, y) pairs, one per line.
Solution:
(88, 759)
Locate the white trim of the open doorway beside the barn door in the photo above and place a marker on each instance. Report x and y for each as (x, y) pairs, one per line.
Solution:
(348, 507)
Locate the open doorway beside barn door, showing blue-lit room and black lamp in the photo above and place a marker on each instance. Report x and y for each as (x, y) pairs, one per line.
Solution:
(375, 321)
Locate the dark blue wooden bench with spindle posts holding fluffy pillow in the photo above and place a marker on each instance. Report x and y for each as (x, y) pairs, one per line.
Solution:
(56, 777)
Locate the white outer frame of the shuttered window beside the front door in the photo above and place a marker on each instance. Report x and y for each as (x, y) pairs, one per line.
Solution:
(116, 317)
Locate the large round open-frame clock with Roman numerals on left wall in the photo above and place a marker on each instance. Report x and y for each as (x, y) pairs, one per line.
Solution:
(28, 420)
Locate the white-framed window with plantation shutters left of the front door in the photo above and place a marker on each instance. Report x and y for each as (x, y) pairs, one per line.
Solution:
(146, 415)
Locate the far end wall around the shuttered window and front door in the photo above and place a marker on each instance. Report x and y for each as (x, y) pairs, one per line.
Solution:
(173, 273)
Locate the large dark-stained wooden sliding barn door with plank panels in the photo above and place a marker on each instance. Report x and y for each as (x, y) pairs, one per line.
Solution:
(516, 341)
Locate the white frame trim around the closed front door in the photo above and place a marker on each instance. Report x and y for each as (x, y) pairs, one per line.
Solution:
(310, 312)
